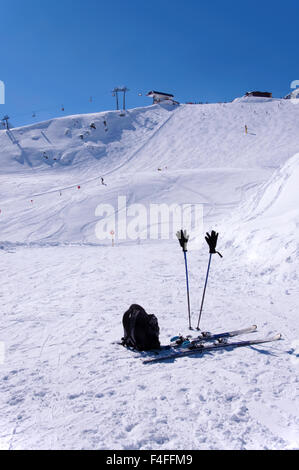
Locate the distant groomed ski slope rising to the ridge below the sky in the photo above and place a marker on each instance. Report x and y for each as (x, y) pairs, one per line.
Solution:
(203, 152)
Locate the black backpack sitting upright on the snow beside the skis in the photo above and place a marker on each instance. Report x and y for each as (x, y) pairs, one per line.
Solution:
(141, 331)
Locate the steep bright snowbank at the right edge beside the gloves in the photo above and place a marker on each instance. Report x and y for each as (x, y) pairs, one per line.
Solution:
(266, 227)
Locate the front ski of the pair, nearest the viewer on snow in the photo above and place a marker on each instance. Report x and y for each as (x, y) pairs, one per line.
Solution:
(201, 348)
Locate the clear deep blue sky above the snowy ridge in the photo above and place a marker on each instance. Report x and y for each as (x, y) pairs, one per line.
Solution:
(63, 52)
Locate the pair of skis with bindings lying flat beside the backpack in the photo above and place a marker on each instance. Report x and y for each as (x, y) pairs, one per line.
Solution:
(197, 345)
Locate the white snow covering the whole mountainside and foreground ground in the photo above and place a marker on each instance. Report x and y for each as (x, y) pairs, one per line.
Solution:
(65, 384)
